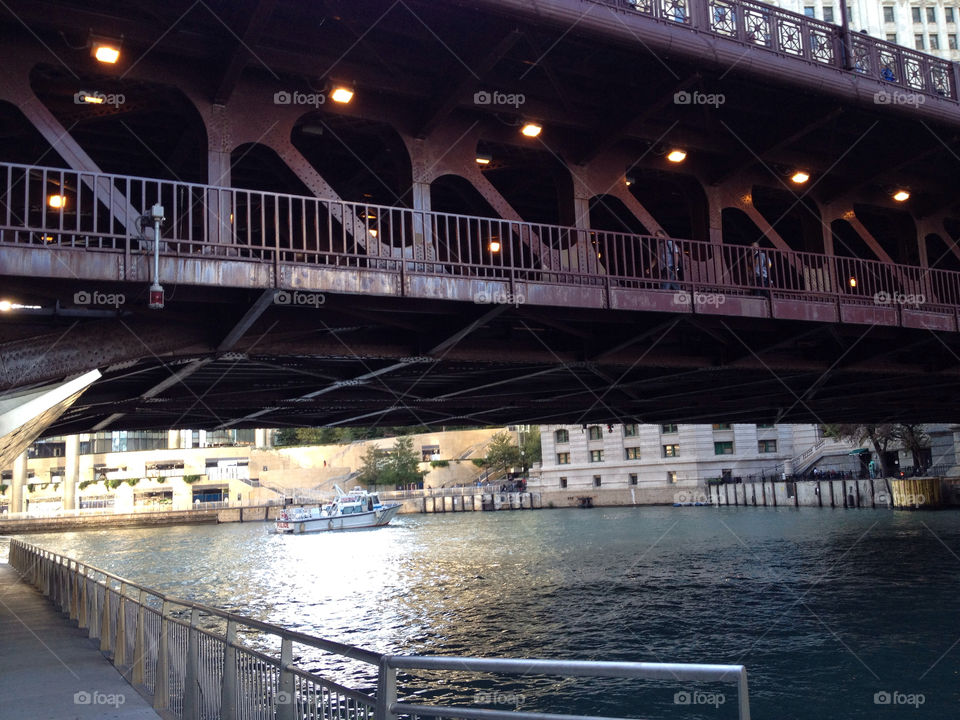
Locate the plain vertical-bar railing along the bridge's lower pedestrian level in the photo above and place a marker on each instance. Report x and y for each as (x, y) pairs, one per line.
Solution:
(100, 213)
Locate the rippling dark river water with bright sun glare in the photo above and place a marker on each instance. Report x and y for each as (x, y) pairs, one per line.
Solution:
(828, 609)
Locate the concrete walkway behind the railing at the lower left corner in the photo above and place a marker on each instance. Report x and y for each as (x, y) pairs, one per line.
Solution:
(49, 669)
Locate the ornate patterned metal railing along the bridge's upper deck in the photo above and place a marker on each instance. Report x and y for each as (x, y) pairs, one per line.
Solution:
(789, 34)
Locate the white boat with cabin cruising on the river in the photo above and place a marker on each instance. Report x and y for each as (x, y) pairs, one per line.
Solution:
(348, 511)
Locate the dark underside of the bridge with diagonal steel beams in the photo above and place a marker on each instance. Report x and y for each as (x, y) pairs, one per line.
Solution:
(359, 360)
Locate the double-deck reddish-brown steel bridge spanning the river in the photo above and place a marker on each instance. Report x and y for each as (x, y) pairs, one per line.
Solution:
(412, 258)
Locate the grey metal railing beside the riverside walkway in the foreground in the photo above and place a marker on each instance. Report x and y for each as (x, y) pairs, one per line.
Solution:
(189, 659)
